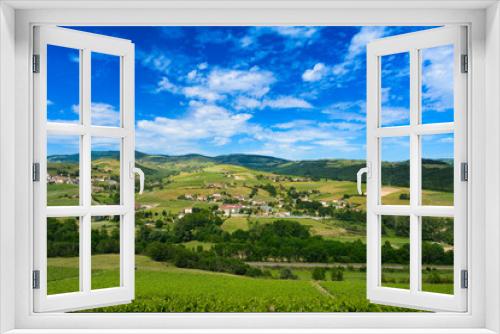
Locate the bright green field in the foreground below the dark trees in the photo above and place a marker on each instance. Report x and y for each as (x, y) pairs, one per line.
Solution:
(161, 287)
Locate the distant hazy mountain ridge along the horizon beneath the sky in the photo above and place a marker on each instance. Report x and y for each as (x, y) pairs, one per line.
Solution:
(437, 173)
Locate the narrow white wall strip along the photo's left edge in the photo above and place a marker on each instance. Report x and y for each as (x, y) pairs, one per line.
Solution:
(7, 161)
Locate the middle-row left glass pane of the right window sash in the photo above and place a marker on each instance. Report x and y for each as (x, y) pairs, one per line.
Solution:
(395, 157)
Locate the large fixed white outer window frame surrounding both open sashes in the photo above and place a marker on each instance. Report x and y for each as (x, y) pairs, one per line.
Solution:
(483, 101)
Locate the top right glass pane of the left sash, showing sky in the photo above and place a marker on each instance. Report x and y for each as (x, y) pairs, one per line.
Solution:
(105, 108)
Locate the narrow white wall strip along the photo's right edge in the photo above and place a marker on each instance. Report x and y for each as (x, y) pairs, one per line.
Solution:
(492, 146)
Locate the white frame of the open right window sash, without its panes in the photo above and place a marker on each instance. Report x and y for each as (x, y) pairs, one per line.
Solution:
(412, 44)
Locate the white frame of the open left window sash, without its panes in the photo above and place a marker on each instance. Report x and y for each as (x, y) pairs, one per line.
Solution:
(85, 43)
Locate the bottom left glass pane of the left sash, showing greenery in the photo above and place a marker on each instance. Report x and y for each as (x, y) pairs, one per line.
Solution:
(63, 249)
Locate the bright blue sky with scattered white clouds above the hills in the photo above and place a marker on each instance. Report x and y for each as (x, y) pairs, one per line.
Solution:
(291, 92)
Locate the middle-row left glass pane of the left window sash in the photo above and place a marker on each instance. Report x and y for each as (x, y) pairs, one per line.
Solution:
(63, 170)
